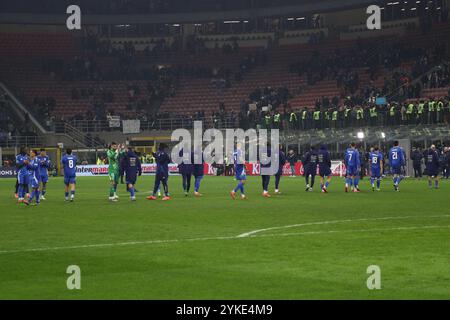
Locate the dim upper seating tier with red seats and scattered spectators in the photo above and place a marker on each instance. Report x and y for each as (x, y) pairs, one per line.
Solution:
(86, 75)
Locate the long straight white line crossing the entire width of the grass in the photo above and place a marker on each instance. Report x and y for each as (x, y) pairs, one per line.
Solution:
(118, 244)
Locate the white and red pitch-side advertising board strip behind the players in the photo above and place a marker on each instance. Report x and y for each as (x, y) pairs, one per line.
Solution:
(252, 169)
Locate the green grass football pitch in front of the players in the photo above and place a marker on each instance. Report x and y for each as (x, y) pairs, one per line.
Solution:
(188, 248)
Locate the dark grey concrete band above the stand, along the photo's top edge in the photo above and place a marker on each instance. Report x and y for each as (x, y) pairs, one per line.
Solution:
(12, 13)
